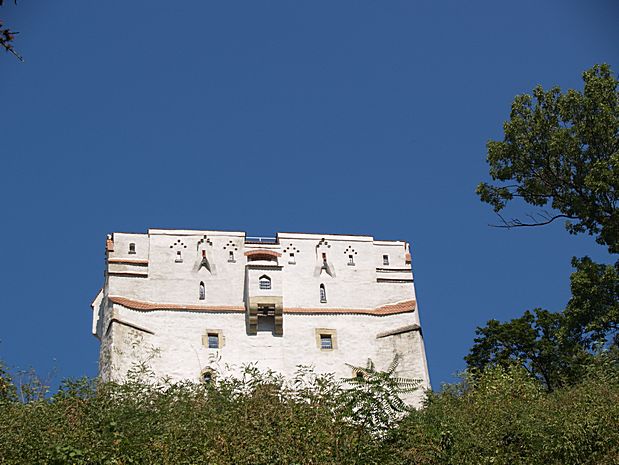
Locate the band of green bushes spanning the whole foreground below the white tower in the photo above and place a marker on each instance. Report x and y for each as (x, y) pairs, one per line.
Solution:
(502, 416)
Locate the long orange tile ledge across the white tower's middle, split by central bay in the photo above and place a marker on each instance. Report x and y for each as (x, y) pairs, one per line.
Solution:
(390, 309)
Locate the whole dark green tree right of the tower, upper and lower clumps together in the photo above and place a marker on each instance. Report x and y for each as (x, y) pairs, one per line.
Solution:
(560, 150)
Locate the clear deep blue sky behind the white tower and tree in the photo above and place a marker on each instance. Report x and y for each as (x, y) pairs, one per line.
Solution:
(363, 117)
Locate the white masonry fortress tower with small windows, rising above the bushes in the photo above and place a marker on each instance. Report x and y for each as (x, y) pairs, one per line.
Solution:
(198, 304)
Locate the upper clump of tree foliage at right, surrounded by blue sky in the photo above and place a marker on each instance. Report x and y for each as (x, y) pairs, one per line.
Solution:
(562, 150)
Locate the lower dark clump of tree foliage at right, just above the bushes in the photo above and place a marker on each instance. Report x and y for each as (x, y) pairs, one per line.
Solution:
(557, 347)
